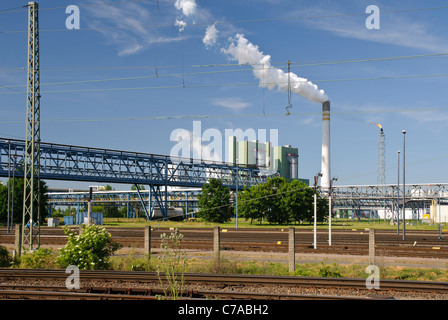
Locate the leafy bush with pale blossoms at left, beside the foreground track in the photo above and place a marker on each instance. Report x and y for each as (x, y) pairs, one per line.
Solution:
(89, 251)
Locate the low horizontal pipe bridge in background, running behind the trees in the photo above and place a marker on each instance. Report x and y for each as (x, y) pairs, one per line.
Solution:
(356, 198)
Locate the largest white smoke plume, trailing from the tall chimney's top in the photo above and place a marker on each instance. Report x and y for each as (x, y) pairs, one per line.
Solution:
(245, 52)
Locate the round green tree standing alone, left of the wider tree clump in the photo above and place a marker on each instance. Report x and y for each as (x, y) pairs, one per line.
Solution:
(214, 202)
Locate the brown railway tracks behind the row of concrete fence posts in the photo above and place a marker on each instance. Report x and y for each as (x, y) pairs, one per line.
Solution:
(423, 244)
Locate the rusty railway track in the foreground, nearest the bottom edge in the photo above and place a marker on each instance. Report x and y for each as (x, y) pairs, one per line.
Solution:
(137, 285)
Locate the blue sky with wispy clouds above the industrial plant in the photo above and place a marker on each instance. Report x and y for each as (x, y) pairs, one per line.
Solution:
(173, 73)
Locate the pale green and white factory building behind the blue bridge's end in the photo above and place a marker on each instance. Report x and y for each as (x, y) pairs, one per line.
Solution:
(281, 159)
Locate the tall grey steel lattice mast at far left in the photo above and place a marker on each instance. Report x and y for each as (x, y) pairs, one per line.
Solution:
(31, 194)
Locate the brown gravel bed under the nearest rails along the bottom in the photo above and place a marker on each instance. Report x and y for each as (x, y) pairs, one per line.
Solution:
(251, 286)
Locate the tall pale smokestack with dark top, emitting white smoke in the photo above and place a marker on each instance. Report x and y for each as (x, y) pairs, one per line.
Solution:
(325, 167)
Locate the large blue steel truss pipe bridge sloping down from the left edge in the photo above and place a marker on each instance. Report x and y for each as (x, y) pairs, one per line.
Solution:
(159, 172)
